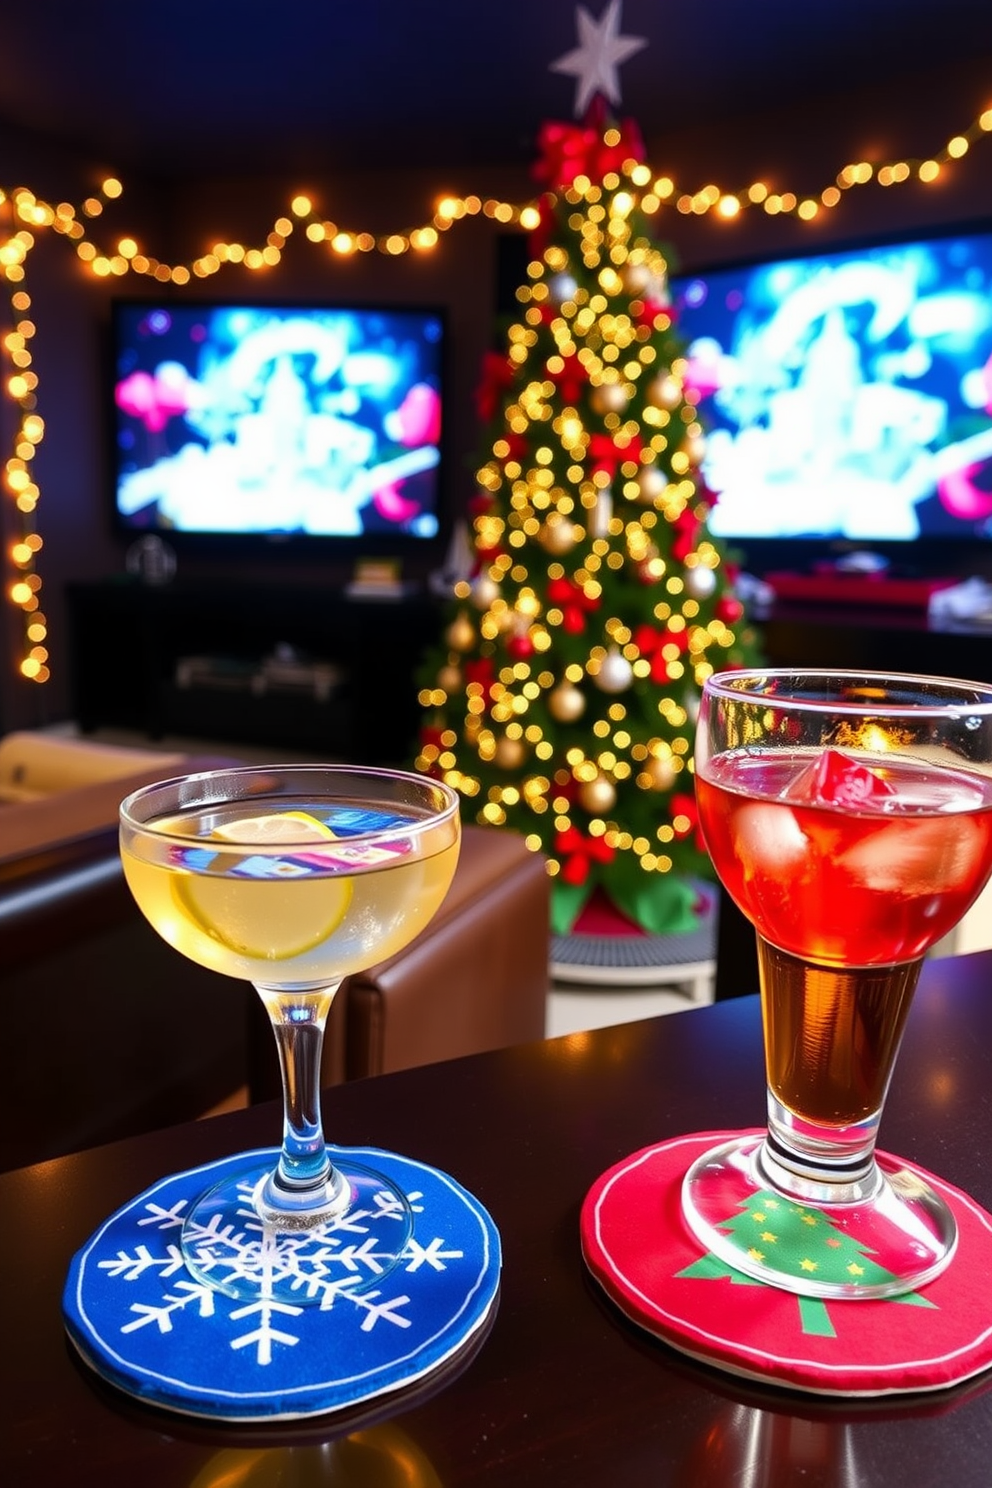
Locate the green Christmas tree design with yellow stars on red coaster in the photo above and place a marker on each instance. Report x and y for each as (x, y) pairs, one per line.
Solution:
(798, 1240)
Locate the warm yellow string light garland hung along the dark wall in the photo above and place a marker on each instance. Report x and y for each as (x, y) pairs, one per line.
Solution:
(25, 217)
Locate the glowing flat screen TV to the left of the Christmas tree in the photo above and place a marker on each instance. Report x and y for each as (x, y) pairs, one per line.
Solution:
(294, 425)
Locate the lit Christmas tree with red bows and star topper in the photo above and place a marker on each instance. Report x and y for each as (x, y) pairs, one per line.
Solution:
(563, 699)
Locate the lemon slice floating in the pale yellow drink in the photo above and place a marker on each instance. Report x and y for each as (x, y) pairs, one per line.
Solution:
(274, 917)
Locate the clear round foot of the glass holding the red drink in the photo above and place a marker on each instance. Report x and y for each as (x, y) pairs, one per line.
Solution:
(896, 1236)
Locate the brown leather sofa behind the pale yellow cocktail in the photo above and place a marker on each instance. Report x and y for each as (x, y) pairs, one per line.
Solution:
(111, 1032)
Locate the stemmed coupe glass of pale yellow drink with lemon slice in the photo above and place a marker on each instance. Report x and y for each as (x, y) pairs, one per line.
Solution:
(292, 877)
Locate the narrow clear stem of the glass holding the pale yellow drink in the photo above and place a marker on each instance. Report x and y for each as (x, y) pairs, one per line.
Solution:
(298, 1023)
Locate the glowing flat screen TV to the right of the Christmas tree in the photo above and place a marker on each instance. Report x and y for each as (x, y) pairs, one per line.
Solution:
(847, 398)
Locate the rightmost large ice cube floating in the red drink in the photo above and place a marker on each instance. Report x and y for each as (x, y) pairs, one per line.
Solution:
(918, 856)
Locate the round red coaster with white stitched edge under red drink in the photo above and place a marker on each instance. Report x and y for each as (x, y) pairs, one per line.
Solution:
(640, 1251)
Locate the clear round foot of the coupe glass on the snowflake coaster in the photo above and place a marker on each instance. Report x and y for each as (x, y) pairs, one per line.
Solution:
(362, 1236)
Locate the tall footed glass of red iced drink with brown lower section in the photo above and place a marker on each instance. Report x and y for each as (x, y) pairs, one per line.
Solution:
(850, 818)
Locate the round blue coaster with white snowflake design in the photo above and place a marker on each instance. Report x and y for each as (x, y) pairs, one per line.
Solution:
(142, 1322)
